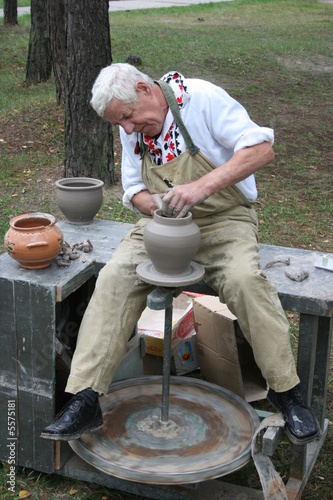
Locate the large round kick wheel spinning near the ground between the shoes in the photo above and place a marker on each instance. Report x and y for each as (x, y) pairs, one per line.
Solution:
(208, 433)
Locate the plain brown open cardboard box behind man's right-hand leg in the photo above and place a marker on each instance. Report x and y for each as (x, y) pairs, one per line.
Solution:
(225, 357)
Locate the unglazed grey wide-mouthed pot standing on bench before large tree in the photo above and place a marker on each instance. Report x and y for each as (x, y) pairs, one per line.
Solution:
(79, 198)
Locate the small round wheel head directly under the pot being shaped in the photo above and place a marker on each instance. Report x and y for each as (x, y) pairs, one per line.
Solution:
(193, 273)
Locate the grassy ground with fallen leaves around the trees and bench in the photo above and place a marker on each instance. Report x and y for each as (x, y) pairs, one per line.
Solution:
(275, 58)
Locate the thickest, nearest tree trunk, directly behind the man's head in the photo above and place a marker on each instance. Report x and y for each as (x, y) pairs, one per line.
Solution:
(88, 138)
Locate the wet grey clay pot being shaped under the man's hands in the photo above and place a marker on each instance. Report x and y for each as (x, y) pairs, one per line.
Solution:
(171, 243)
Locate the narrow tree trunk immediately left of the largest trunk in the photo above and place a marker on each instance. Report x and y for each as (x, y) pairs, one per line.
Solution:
(57, 22)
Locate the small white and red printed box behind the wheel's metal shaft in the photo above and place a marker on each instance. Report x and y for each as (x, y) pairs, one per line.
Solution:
(151, 324)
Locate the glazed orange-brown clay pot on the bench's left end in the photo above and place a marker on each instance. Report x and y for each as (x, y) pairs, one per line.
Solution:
(33, 240)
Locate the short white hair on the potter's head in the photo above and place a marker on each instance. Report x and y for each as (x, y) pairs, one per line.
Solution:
(117, 81)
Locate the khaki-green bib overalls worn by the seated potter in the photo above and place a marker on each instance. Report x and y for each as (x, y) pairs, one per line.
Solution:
(228, 252)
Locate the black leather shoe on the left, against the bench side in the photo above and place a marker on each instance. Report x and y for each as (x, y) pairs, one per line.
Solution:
(81, 413)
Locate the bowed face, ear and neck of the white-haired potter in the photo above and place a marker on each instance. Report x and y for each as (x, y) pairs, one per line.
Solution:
(145, 117)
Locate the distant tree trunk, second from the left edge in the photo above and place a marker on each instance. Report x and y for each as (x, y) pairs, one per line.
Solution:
(39, 64)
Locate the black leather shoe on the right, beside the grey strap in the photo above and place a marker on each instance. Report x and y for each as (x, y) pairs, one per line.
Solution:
(301, 425)
